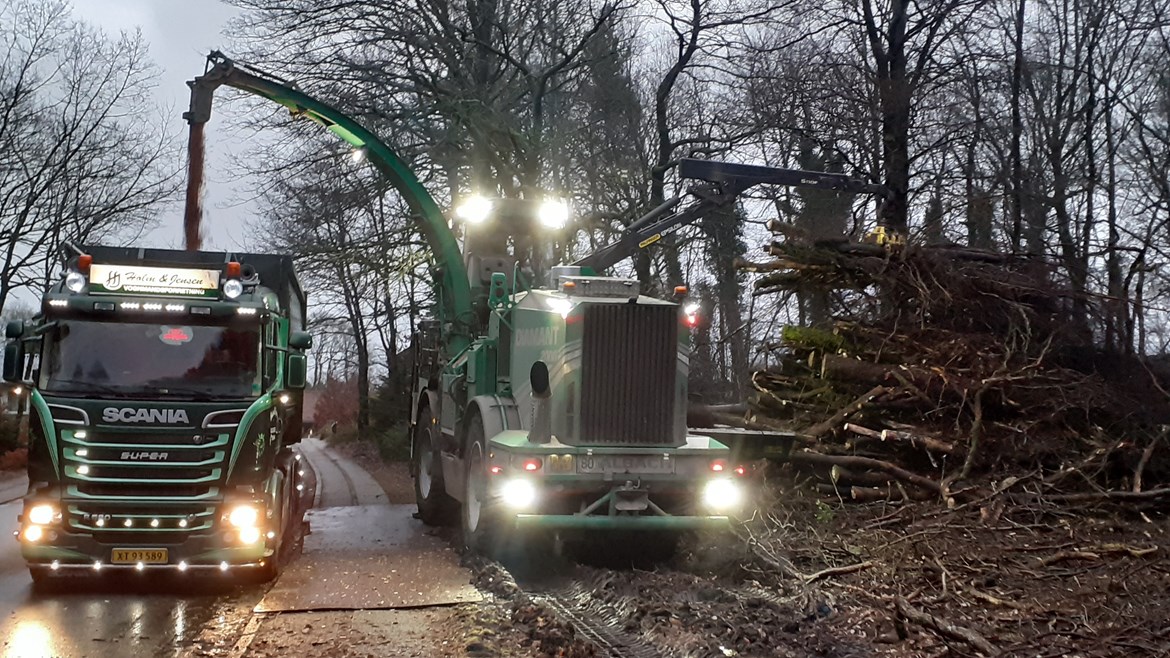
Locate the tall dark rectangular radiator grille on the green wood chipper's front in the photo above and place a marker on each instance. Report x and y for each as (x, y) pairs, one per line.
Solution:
(629, 368)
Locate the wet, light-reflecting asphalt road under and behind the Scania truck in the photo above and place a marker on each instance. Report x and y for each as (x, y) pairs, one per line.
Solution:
(129, 614)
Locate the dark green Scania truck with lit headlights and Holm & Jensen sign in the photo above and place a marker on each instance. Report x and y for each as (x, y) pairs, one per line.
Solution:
(166, 389)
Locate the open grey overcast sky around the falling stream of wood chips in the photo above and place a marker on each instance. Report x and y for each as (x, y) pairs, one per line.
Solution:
(181, 35)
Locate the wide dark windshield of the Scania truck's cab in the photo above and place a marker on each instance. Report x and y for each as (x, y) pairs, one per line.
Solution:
(150, 360)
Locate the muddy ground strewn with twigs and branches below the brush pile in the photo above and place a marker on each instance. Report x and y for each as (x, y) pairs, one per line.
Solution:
(820, 577)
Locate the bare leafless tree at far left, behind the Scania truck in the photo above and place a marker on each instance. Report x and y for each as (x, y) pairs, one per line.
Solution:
(78, 159)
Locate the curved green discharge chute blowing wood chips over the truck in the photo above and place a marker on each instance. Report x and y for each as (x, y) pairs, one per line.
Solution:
(450, 272)
